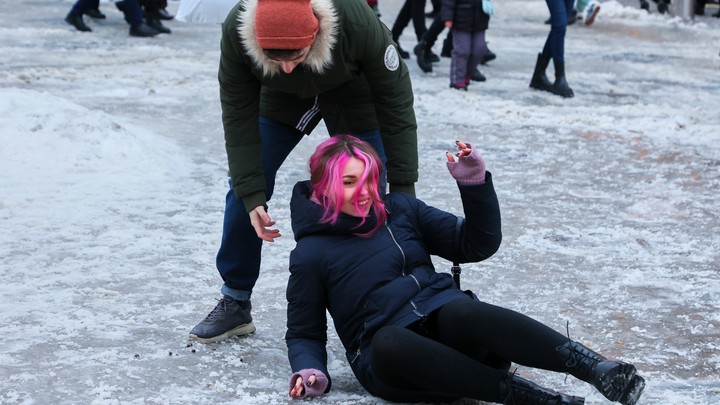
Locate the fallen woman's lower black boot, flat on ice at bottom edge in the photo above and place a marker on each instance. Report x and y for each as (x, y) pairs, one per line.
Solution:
(519, 391)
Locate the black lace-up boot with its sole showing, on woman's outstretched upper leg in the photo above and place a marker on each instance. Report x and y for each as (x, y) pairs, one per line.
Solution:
(617, 381)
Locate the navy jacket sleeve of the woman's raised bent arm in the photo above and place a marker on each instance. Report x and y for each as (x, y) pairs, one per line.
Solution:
(479, 235)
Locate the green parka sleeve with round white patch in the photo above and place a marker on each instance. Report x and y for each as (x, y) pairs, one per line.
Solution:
(389, 80)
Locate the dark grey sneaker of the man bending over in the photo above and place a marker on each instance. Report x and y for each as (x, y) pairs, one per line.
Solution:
(229, 318)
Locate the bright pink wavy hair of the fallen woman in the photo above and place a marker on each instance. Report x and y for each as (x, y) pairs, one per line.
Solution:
(326, 176)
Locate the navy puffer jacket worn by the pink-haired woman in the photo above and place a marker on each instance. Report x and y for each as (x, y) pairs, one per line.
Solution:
(385, 279)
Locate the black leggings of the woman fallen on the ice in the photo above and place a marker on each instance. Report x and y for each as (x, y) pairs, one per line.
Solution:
(462, 350)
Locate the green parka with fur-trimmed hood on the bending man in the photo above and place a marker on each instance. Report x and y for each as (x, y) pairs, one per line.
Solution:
(352, 78)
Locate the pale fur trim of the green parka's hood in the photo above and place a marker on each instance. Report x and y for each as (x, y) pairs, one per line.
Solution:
(320, 55)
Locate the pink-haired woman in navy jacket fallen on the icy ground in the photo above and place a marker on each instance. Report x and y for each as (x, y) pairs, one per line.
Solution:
(410, 335)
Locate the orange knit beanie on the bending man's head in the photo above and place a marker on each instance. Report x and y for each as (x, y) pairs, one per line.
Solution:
(285, 24)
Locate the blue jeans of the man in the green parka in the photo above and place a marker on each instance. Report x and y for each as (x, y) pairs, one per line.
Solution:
(238, 259)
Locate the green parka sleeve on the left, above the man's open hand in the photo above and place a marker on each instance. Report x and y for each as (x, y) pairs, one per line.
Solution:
(240, 102)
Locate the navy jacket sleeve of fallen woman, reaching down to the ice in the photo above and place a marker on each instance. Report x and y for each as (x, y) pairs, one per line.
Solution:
(306, 335)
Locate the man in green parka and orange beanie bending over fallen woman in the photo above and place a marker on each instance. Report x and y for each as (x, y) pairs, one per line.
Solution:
(284, 66)
